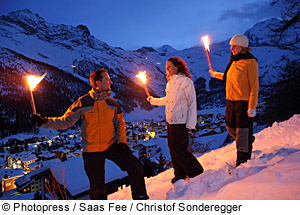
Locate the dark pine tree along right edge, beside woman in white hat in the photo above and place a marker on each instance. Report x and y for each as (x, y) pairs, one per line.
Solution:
(283, 101)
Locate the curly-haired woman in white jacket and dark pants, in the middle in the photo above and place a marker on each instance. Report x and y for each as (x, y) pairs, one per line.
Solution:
(181, 115)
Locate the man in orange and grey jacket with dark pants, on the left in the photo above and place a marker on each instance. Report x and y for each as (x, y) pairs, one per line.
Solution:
(103, 136)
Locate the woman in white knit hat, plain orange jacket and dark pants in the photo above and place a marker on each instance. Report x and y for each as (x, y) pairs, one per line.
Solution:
(241, 78)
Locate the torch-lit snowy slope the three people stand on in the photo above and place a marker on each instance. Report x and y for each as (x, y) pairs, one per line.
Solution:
(273, 173)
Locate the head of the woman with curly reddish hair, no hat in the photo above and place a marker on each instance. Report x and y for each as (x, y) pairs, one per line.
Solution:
(176, 65)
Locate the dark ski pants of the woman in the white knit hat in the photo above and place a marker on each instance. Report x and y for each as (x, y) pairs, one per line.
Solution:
(240, 127)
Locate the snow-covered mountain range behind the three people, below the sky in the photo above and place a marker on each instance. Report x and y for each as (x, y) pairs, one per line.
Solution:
(30, 44)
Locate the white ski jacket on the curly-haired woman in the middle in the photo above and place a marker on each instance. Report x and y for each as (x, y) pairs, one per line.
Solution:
(180, 101)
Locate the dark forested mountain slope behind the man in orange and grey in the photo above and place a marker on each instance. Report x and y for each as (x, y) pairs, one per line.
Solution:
(54, 94)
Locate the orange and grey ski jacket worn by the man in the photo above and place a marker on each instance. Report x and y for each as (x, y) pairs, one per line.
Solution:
(102, 121)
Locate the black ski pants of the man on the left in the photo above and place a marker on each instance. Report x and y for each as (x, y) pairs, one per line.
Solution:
(94, 165)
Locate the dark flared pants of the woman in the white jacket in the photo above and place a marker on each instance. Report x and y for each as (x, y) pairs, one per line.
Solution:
(184, 162)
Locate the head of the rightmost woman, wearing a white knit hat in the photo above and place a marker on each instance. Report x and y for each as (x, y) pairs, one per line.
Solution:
(239, 44)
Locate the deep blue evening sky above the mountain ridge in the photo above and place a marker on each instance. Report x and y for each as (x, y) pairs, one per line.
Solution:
(131, 24)
